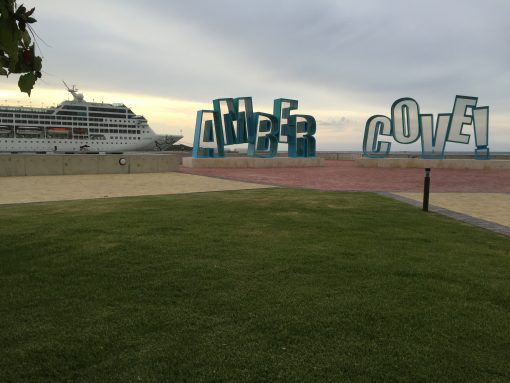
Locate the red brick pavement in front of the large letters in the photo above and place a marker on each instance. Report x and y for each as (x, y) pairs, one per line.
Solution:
(345, 176)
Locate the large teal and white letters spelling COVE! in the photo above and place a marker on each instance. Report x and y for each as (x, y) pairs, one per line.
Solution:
(408, 125)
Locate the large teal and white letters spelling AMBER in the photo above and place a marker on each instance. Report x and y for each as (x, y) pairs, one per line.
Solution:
(233, 122)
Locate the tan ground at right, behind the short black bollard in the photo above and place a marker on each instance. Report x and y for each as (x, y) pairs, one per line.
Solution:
(493, 207)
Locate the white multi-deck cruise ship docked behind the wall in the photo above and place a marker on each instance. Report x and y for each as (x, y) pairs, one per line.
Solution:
(78, 126)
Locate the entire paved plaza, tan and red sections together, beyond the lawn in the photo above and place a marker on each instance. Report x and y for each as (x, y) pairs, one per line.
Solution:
(482, 194)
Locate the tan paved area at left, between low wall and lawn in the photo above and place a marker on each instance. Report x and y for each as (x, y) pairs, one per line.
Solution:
(57, 188)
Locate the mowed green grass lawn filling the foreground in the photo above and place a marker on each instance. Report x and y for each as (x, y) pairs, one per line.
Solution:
(268, 285)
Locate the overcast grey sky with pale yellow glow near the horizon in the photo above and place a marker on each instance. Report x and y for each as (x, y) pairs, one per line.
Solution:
(343, 60)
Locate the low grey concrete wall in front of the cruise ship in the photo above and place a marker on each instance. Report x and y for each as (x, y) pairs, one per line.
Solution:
(64, 164)
